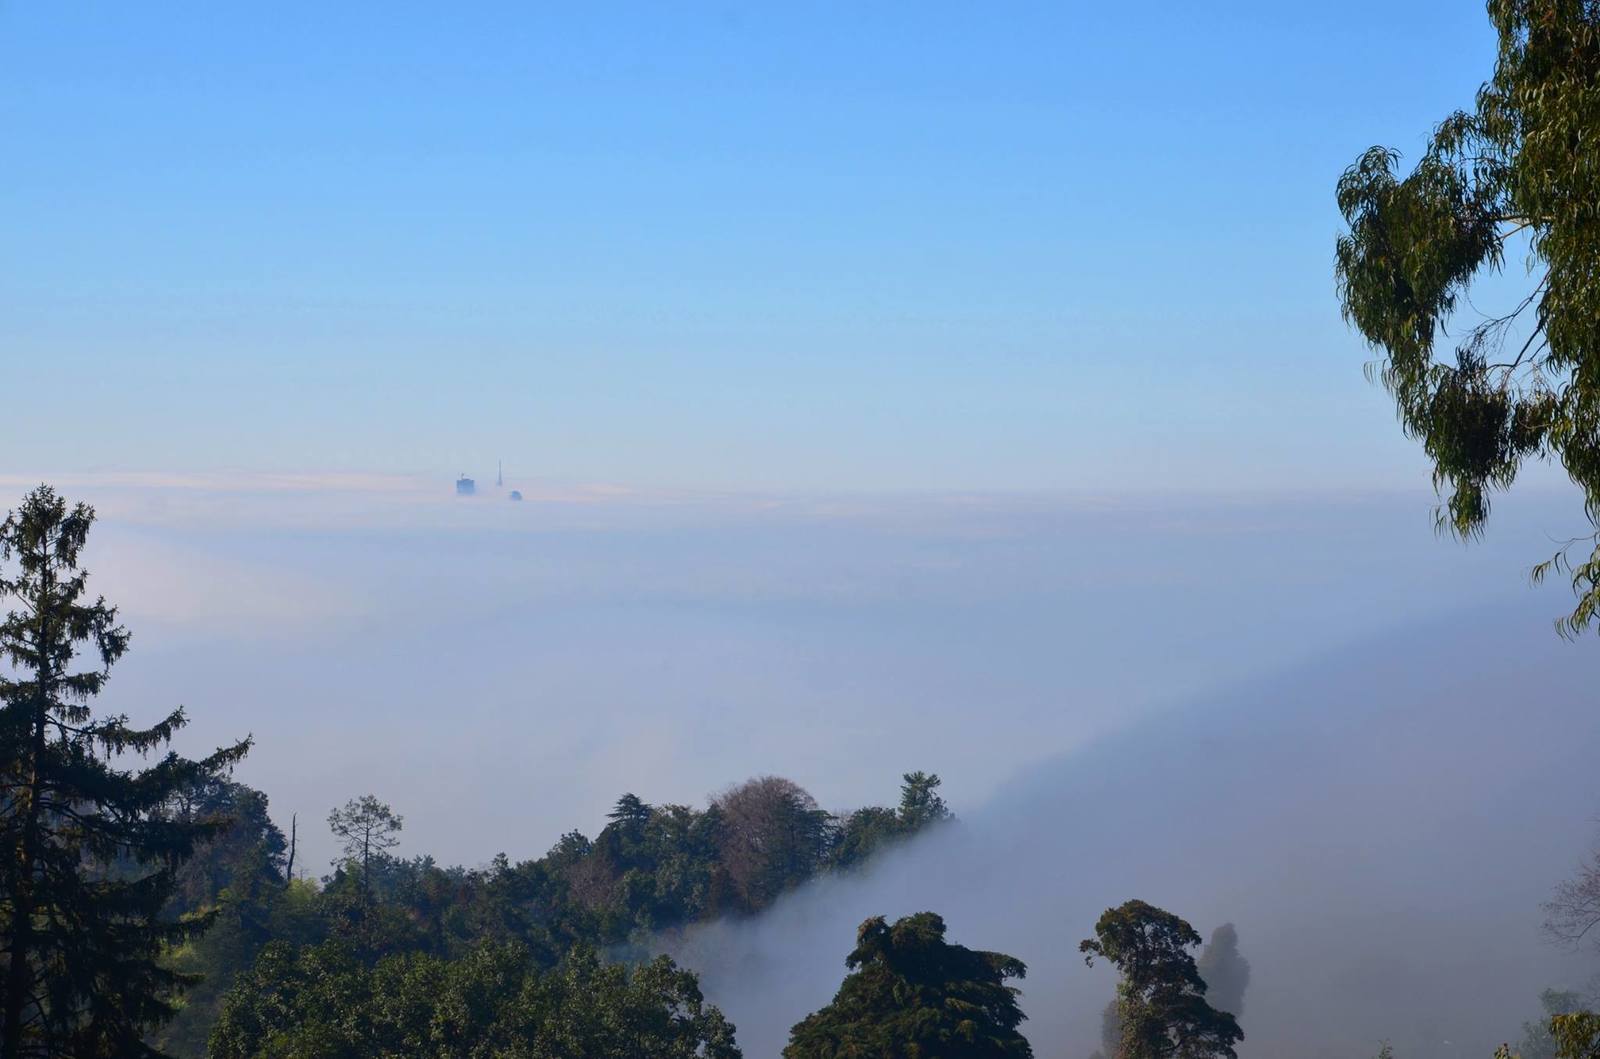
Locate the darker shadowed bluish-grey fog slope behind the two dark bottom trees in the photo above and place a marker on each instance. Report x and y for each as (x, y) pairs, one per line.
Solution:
(1382, 825)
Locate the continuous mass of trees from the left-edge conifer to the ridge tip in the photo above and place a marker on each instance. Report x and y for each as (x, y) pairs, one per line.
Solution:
(148, 911)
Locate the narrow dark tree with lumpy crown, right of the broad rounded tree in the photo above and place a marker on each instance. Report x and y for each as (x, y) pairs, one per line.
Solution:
(1162, 999)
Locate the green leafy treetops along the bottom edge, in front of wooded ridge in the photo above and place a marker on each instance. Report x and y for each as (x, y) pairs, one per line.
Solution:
(327, 1004)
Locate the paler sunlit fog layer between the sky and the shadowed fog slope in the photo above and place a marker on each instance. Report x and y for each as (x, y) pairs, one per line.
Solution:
(502, 673)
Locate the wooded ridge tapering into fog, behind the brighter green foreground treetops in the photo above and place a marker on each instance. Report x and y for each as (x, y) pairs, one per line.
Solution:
(652, 868)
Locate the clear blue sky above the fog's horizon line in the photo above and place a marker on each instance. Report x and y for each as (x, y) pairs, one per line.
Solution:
(743, 246)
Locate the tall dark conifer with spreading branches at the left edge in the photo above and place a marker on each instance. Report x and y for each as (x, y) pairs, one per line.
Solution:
(90, 849)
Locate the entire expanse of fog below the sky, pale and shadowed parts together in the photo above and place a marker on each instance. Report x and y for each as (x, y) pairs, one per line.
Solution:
(1303, 714)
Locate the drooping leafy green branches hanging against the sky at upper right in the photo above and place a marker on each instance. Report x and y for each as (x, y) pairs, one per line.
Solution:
(1522, 167)
